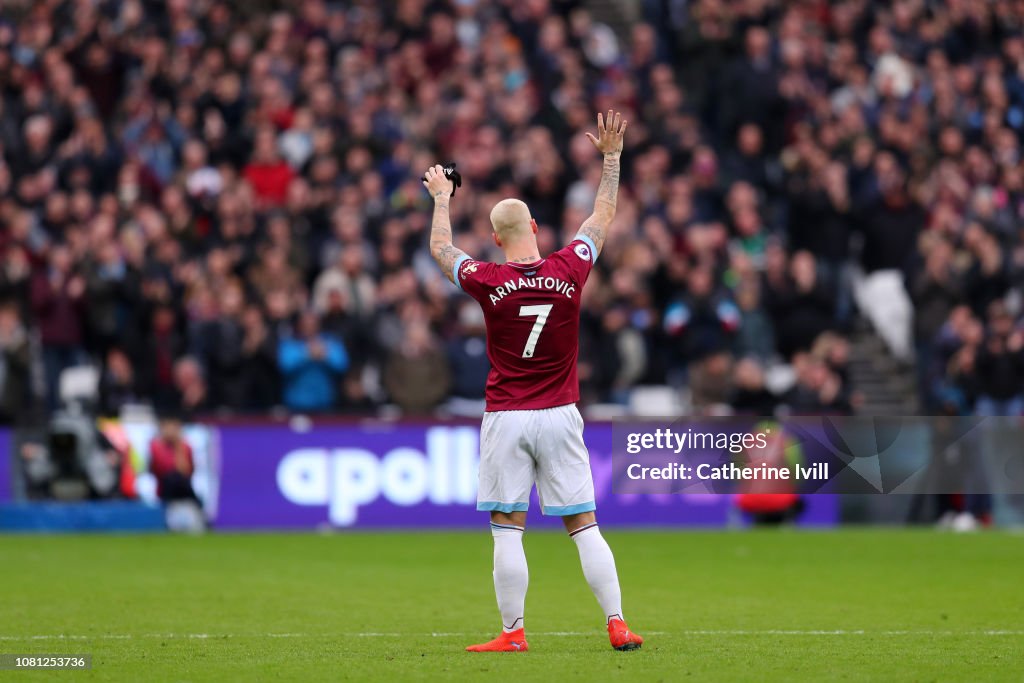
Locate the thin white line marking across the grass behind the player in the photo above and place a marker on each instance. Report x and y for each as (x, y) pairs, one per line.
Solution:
(373, 634)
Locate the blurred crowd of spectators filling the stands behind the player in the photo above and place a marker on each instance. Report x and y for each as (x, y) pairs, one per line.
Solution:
(218, 204)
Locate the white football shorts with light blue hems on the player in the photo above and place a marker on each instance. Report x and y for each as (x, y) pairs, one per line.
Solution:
(520, 449)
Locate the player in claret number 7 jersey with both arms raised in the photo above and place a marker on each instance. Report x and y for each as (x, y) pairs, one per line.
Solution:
(532, 432)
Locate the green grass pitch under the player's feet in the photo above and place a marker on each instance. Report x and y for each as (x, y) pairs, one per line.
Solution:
(892, 606)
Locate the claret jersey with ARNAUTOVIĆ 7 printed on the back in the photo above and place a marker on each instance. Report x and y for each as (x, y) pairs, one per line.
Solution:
(532, 312)
